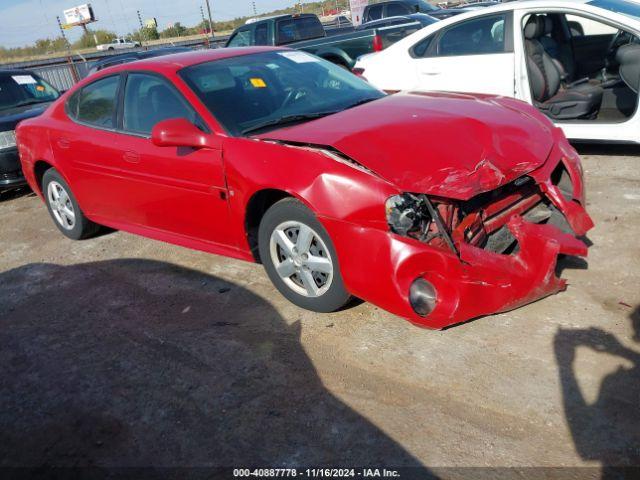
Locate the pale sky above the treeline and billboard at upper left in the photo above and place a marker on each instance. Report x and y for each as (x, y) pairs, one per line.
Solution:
(24, 21)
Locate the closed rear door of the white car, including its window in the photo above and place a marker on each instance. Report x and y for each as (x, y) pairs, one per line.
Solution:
(475, 55)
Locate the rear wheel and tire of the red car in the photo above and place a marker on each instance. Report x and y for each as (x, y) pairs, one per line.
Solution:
(64, 209)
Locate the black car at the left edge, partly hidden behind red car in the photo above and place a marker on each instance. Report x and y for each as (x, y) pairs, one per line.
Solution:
(23, 94)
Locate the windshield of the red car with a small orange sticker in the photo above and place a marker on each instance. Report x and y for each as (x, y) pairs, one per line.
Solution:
(273, 88)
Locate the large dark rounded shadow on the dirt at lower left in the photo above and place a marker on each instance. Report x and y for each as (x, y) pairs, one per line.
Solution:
(144, 363)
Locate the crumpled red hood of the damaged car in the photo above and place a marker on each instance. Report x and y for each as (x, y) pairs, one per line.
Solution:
(449, 145)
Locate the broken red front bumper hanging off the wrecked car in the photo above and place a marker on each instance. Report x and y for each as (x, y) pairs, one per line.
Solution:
(380, 267)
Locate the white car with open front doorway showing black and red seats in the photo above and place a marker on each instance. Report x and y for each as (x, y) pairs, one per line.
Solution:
(578, 61)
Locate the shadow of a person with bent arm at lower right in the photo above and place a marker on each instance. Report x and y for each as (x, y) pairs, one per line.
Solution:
(607, 430)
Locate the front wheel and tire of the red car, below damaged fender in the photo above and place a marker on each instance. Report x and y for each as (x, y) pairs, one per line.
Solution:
(300, 258)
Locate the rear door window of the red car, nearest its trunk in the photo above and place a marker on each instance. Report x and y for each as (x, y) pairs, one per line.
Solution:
(96, 103)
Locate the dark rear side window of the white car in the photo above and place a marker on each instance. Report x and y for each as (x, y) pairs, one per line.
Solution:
(479, 36)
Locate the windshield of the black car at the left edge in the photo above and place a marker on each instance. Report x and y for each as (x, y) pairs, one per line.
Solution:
(24, 89)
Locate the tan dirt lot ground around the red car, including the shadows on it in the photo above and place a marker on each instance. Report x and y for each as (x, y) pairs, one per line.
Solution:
(123, 351)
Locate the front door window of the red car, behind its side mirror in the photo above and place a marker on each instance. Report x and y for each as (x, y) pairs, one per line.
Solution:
(148, 100)
